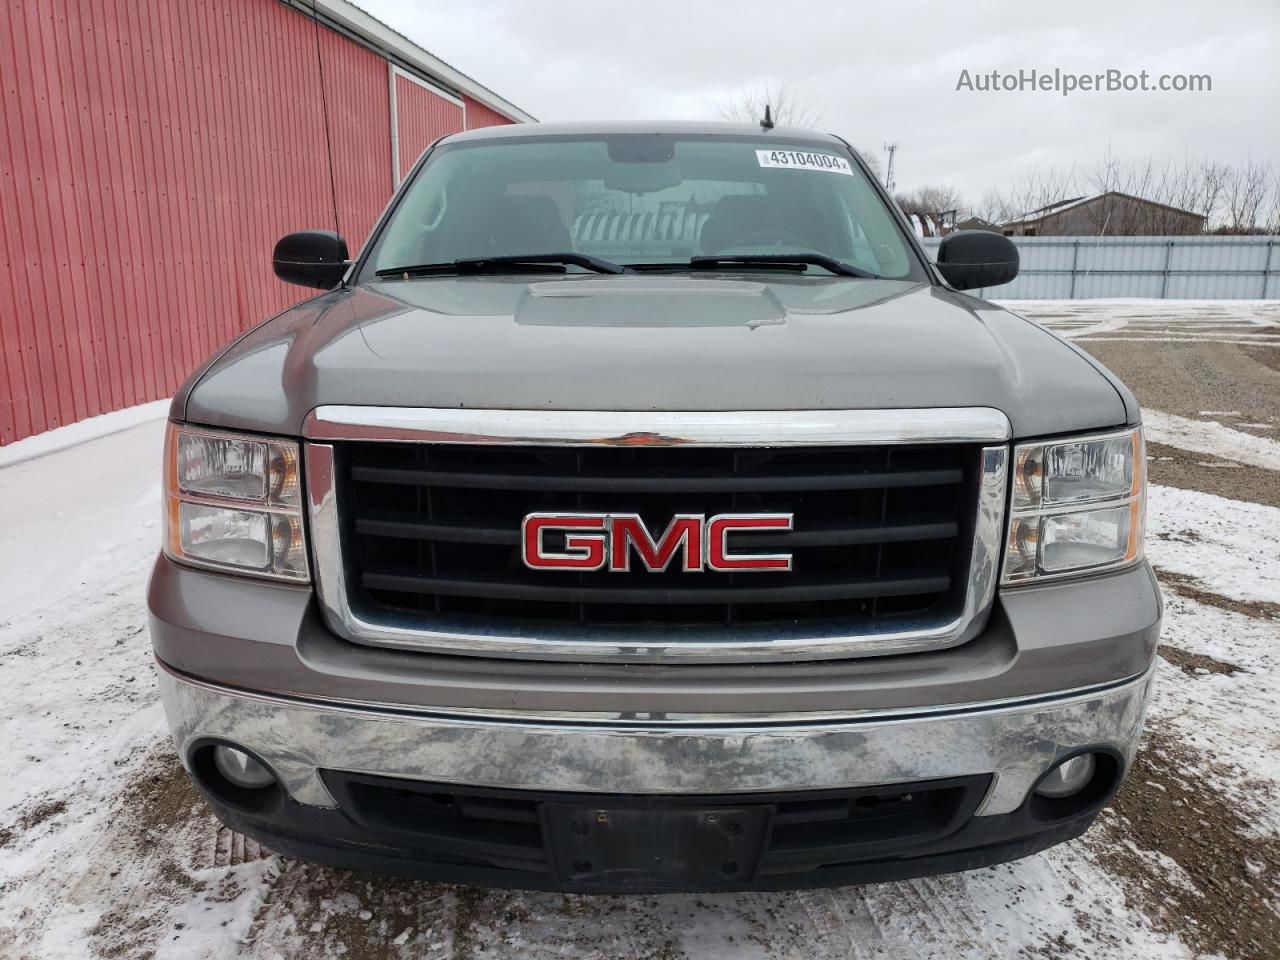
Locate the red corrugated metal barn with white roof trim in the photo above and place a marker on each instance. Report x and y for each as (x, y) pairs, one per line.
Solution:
(153, 152)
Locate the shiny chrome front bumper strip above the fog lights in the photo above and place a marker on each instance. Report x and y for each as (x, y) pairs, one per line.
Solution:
(1017, 742)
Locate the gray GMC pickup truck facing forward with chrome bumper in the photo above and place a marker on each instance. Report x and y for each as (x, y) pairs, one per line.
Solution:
(643, 511)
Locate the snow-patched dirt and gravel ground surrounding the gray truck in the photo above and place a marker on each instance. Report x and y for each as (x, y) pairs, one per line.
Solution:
(107, 851)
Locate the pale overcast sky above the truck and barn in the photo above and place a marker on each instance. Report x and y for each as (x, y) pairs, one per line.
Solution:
(886, 72)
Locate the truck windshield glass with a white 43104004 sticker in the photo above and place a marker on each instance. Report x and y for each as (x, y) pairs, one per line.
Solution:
(644, 200)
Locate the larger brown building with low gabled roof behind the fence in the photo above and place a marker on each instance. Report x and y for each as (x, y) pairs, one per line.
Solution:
(1110, 214)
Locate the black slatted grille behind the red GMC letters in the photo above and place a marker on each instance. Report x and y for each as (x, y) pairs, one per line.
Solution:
(433, 531)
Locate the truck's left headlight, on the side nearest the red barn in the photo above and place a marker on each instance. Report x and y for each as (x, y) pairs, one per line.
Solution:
(235, 504)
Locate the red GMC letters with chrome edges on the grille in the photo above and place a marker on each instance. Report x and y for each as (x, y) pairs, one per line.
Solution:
(609, 541)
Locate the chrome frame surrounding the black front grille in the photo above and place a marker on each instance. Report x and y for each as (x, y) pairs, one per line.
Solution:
(656, 644)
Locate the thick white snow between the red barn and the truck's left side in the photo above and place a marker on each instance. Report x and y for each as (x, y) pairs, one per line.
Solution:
(80, 711)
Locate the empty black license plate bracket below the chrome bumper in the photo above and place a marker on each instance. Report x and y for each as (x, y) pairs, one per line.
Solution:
(656, 847)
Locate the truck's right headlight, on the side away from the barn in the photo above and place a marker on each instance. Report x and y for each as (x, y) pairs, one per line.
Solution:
(1078, 506)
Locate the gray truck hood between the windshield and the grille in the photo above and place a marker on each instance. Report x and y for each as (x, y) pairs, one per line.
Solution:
(693, 344)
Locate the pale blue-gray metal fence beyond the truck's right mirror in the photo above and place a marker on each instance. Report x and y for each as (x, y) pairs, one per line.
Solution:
(1185, 268)
